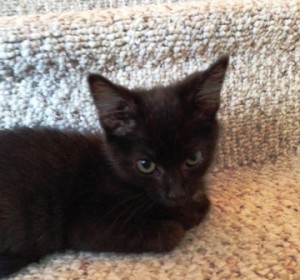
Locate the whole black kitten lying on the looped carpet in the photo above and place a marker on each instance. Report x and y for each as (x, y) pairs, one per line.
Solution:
(129, 190)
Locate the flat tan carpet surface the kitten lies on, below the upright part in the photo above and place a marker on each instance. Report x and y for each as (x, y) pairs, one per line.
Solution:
(253, 232)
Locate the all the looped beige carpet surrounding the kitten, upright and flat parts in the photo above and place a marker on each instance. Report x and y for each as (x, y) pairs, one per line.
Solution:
(48, 47)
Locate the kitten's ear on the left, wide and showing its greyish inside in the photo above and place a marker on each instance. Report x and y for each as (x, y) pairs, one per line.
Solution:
(114, 104)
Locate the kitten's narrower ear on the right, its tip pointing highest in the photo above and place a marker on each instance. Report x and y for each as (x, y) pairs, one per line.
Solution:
(207, 97)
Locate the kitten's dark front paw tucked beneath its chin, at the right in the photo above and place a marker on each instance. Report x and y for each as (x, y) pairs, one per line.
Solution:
(194, 212)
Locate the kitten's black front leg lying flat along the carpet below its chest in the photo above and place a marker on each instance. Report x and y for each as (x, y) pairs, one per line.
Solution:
(136, 237)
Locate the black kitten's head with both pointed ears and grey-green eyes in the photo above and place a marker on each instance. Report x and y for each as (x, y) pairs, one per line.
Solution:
(161, 141)
